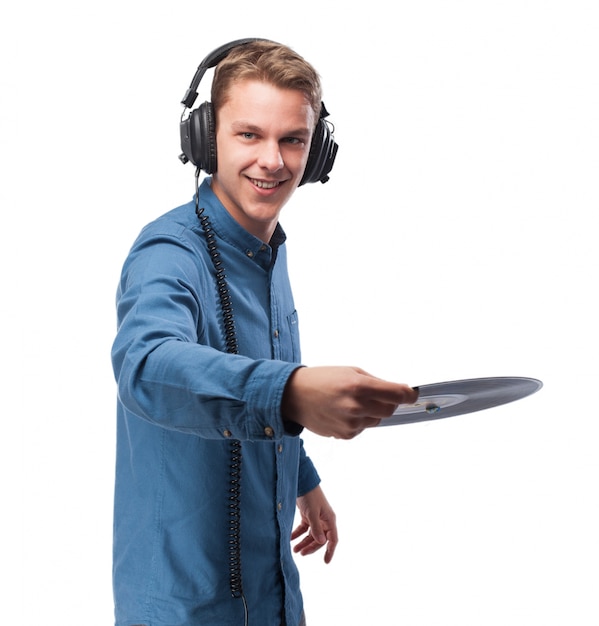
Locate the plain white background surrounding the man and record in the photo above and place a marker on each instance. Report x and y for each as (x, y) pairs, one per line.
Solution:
(455, 239)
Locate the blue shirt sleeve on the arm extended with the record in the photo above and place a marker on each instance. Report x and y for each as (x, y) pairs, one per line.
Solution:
(164, 375)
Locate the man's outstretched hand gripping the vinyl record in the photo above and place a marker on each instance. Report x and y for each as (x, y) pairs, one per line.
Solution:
(341, 401)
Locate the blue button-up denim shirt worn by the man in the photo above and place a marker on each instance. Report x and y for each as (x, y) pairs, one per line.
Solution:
(181, 401)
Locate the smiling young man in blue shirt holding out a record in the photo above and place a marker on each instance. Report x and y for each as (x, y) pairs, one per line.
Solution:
(212, 397)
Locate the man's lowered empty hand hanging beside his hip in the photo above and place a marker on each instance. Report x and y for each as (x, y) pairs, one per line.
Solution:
(319, 522)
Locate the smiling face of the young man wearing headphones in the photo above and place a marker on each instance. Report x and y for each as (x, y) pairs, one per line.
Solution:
(263, 138)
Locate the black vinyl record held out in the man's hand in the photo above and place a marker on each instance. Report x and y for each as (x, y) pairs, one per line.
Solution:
(459, 397)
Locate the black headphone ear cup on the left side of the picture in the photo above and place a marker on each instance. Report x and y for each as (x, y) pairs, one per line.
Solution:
(198, 138)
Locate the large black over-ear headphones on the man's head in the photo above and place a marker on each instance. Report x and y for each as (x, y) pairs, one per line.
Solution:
(198, 134)
